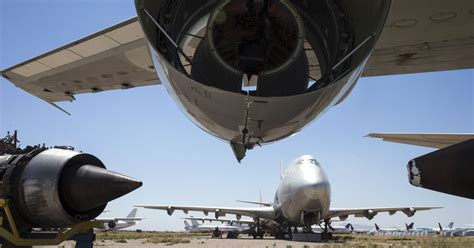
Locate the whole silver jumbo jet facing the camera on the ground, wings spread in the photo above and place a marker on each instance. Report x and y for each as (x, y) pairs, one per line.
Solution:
(301, 200)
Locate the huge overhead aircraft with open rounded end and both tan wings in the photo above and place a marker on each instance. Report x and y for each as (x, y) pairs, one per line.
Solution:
(249, 80)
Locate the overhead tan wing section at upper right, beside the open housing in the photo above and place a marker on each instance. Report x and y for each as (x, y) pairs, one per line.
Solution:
(424, 36)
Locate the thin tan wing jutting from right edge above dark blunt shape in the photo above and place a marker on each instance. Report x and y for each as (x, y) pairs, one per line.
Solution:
(428, 139)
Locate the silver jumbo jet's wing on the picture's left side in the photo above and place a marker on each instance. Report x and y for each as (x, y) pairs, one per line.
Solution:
(258, 212)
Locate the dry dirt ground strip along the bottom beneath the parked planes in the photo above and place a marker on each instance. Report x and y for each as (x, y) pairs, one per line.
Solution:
(338, 241)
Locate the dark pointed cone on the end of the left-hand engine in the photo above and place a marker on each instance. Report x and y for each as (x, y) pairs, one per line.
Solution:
(88, 187)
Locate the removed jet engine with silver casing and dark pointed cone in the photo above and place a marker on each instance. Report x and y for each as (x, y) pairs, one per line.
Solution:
(57, 188)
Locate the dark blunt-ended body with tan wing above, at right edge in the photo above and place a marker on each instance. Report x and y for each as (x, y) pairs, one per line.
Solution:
(455, 158)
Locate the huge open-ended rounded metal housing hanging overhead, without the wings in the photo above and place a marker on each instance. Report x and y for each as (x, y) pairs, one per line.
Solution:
(256, 71)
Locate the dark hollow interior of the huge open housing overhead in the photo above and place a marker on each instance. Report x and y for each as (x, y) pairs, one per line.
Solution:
(279, 46)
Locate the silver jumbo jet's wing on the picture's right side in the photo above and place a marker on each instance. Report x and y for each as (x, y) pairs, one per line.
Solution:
(369, 213)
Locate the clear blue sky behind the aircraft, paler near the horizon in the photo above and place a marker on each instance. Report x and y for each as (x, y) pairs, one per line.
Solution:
(142, 133)
